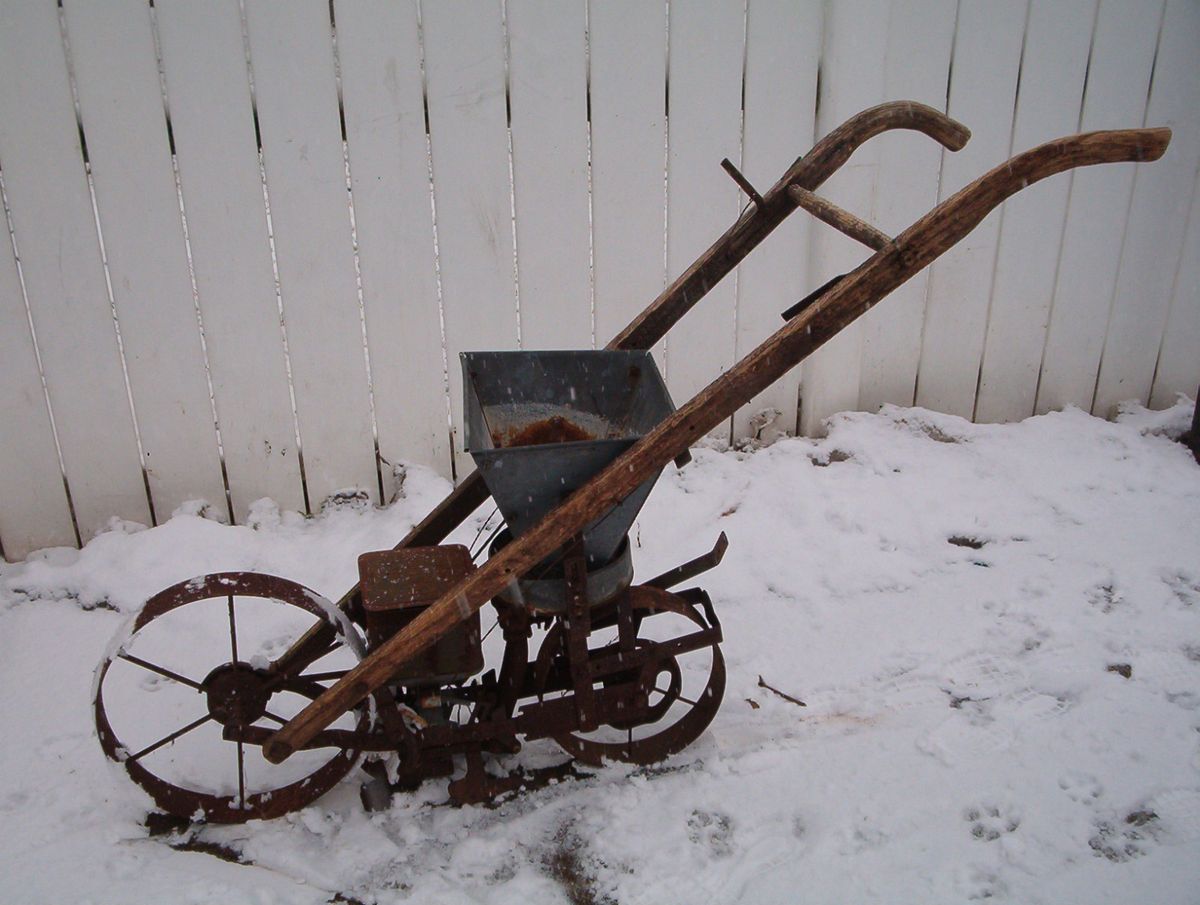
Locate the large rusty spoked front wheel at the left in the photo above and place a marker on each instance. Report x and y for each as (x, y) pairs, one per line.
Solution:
(191, 676)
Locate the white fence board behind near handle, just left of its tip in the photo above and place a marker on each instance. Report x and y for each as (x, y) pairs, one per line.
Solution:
(1118, 85)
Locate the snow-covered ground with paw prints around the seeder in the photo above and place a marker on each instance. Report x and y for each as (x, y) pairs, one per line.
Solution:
(995, 630)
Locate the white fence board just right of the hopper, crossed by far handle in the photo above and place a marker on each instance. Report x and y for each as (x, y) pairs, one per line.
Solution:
(705, 106)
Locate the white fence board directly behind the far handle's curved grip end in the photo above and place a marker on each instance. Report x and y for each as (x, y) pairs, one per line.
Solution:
(921, 38)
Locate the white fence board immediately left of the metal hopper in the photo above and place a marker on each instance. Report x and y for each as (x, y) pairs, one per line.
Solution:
(379, 49)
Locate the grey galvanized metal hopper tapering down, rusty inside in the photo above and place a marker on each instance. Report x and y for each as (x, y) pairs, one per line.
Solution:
(541, 424)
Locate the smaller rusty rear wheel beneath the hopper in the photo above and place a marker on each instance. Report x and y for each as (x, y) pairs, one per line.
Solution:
(685, 691)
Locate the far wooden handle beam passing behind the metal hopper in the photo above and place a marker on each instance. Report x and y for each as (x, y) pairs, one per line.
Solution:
(677, 301)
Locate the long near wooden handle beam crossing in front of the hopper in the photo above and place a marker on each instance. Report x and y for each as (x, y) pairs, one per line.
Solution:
(913, 251)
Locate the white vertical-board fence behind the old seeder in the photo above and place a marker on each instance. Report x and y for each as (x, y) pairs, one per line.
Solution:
(243, 232)
